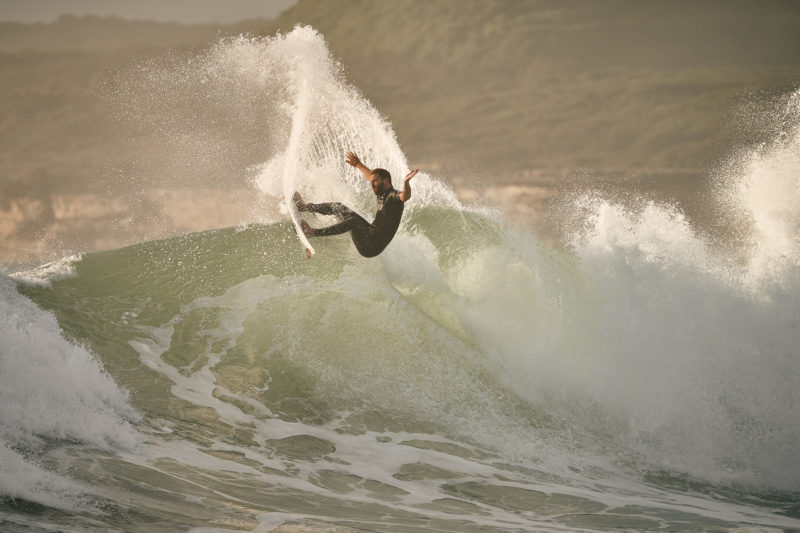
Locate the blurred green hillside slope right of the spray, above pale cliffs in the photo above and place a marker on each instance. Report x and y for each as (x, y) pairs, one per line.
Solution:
(514, 84)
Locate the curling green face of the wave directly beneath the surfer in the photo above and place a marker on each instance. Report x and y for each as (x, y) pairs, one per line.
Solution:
(305, 339)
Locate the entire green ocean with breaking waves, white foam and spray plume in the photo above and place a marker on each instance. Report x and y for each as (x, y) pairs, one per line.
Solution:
(468, 379)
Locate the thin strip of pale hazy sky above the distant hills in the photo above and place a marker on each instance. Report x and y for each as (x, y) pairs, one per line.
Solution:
(186, 11)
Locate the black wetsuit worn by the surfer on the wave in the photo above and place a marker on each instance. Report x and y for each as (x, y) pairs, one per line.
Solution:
(369, 239)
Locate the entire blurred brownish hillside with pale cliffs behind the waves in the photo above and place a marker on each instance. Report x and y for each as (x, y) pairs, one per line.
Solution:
(523, 91)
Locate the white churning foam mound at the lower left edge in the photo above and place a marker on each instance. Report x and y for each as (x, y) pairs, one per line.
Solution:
(50, 389)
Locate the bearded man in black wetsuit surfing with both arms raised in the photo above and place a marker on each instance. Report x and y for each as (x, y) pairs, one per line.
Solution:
(369, 239)
